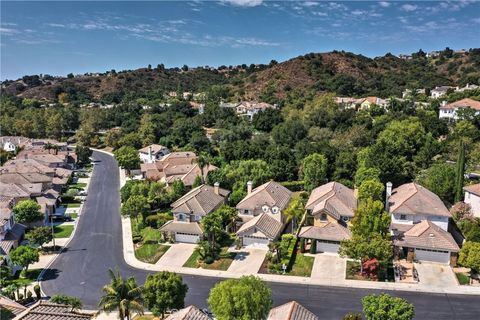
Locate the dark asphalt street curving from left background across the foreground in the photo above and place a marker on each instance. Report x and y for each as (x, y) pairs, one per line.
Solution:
(81, 270)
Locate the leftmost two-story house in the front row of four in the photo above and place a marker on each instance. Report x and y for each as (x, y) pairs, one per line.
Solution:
(189, 210)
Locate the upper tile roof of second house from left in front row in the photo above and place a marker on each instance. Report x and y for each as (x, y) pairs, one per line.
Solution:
(270, 193)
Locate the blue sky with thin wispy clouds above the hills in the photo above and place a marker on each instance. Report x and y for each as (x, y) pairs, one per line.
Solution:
(61, 37)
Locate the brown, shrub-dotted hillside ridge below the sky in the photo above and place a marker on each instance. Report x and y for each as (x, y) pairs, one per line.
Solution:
(341, 72)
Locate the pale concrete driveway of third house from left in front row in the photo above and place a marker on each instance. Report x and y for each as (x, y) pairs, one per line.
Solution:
(329, 267)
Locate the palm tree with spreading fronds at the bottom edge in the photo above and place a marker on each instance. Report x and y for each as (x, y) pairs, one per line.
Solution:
(123, 295)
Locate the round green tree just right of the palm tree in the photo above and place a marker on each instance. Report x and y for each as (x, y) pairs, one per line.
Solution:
(164, 291)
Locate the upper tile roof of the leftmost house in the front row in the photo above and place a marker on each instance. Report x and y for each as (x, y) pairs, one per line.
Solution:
(201, 200)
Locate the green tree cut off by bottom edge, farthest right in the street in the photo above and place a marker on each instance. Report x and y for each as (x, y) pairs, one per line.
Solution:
(386, 307)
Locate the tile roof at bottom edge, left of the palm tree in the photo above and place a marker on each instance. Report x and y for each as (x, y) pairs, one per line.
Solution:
(44, 310)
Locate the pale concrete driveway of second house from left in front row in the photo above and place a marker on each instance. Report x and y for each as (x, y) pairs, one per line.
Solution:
(248, 260)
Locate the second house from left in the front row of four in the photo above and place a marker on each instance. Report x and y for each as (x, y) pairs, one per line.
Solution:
(261, 212)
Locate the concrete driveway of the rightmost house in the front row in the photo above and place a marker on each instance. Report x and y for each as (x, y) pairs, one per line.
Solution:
(435, 275)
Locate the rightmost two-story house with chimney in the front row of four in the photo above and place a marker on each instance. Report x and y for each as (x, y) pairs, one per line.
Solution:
(419, 224)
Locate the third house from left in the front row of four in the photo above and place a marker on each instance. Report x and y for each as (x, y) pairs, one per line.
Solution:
(332, 206)
